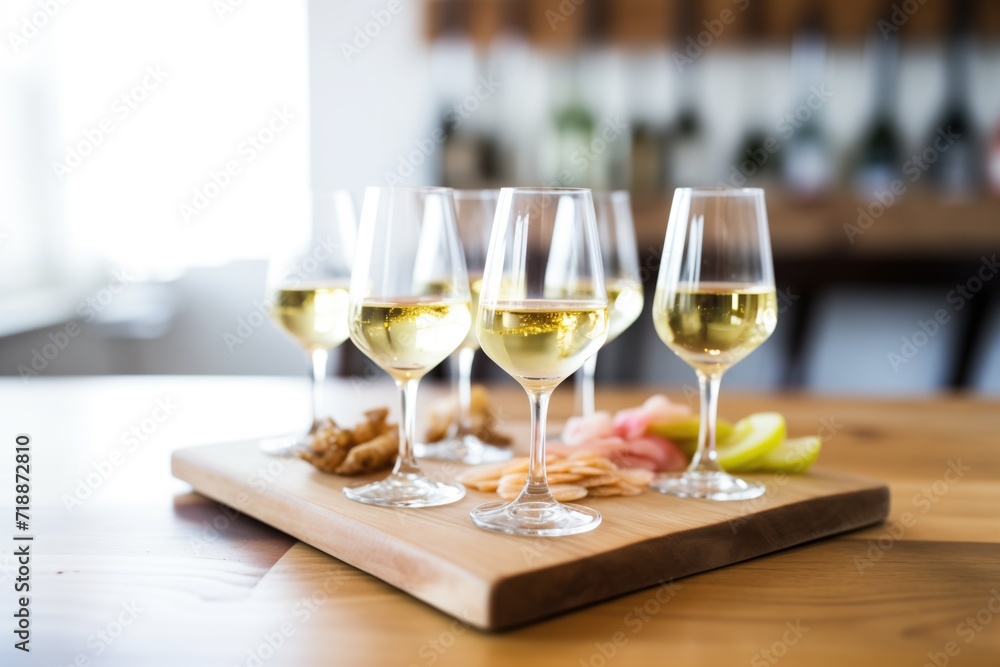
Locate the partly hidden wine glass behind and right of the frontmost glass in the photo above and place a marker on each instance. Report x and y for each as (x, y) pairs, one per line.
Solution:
(621, 277)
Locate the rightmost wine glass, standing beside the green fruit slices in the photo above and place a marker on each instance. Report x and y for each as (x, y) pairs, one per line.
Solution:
(714, 304)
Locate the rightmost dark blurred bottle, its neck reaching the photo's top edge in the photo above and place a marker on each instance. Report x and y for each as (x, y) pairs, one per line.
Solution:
(955, 169)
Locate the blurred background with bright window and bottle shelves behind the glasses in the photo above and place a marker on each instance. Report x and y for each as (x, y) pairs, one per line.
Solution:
(823, 103)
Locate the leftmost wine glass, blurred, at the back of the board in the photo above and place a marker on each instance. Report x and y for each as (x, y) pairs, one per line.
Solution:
(308, 295)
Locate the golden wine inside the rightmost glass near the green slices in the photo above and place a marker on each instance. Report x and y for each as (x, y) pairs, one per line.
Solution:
(715, 325)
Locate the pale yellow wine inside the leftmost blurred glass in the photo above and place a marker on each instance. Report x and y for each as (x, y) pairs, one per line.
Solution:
(316, 316)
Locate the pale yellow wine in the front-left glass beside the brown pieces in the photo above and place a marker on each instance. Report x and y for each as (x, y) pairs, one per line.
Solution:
(408, 337)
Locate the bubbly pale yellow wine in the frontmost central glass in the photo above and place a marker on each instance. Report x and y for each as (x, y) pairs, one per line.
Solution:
(541, 343)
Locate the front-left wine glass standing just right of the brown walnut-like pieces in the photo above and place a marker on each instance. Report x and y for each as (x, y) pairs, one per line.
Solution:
(409, 310)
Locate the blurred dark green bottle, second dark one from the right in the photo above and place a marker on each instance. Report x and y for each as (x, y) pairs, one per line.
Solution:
(879, 162)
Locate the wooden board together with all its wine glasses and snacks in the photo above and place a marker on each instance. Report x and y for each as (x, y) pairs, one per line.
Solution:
(539, 279)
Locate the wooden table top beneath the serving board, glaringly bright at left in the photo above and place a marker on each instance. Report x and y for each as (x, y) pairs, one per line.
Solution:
(130, 568)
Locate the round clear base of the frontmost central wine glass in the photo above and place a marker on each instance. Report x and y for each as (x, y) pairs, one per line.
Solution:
(535, 518)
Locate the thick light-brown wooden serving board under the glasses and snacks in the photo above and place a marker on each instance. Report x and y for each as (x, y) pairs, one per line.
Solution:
(494, 581)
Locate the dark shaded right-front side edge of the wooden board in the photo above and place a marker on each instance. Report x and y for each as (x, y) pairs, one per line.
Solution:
(509, 608)
